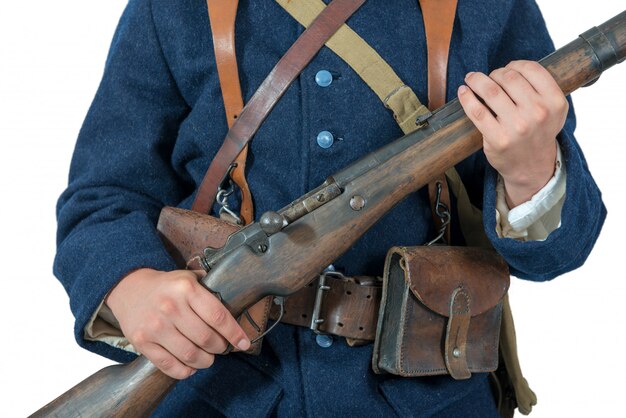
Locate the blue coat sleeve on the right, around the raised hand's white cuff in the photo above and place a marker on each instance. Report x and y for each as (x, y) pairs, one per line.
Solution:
(525, 37)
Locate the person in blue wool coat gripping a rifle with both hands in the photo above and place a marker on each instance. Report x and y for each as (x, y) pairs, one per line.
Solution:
(158, 120)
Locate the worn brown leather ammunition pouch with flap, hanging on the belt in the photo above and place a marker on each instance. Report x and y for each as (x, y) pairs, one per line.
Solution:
(440, 311)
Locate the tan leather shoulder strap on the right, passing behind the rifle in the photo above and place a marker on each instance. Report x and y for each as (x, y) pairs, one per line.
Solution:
(438, 24)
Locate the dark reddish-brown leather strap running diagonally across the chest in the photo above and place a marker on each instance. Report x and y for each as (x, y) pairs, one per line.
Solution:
(270, 91)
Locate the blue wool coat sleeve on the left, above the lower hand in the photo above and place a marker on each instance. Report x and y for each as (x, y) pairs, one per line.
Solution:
(121, 174)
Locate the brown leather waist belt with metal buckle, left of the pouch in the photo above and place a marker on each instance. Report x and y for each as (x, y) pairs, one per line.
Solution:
(335, 304)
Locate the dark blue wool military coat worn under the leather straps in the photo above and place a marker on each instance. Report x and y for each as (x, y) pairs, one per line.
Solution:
(157, 120)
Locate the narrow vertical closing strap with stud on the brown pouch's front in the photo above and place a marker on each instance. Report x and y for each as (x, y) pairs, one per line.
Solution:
(456, 335)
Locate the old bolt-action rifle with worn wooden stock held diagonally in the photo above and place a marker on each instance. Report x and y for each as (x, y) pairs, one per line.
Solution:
(285, 250)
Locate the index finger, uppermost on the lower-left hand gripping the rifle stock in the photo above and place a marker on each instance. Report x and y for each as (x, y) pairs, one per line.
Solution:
(215, 314)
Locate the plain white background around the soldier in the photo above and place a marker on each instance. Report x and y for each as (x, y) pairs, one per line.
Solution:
(571, 331)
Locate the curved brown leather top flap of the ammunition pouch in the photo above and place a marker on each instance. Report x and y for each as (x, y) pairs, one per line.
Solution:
(434, 272)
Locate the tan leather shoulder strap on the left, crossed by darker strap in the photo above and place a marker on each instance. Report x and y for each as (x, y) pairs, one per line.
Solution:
(222, 16)
